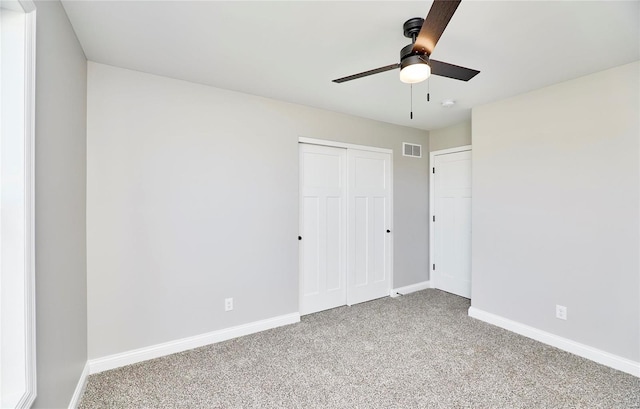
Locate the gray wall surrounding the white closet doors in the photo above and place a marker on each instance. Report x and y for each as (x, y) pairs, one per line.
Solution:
(193, 197)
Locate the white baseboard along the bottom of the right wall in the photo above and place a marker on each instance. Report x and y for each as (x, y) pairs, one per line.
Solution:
(585, 351)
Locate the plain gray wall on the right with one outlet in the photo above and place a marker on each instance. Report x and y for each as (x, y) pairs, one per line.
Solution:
(555, 209)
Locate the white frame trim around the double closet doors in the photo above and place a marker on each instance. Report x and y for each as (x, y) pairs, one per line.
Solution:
(336, 144)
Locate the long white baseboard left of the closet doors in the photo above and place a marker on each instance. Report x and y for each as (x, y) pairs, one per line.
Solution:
(172, 347)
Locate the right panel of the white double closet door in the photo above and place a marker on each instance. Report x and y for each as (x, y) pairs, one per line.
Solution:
(369, 225)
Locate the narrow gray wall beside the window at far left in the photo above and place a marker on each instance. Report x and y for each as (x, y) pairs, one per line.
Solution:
(61, 296)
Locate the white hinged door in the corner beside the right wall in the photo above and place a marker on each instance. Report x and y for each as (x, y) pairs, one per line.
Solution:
(451, 221)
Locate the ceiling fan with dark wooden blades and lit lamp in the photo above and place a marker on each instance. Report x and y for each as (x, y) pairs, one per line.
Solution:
(415, 64)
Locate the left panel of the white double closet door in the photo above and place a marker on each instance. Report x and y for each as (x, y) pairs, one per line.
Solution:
(322, 228)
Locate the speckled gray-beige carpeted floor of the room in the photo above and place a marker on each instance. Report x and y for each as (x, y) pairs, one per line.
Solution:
(416, 351)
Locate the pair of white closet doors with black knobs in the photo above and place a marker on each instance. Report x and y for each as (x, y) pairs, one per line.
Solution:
(345, 246)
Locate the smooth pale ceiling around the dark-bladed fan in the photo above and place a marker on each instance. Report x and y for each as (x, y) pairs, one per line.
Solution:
(291, 50)
